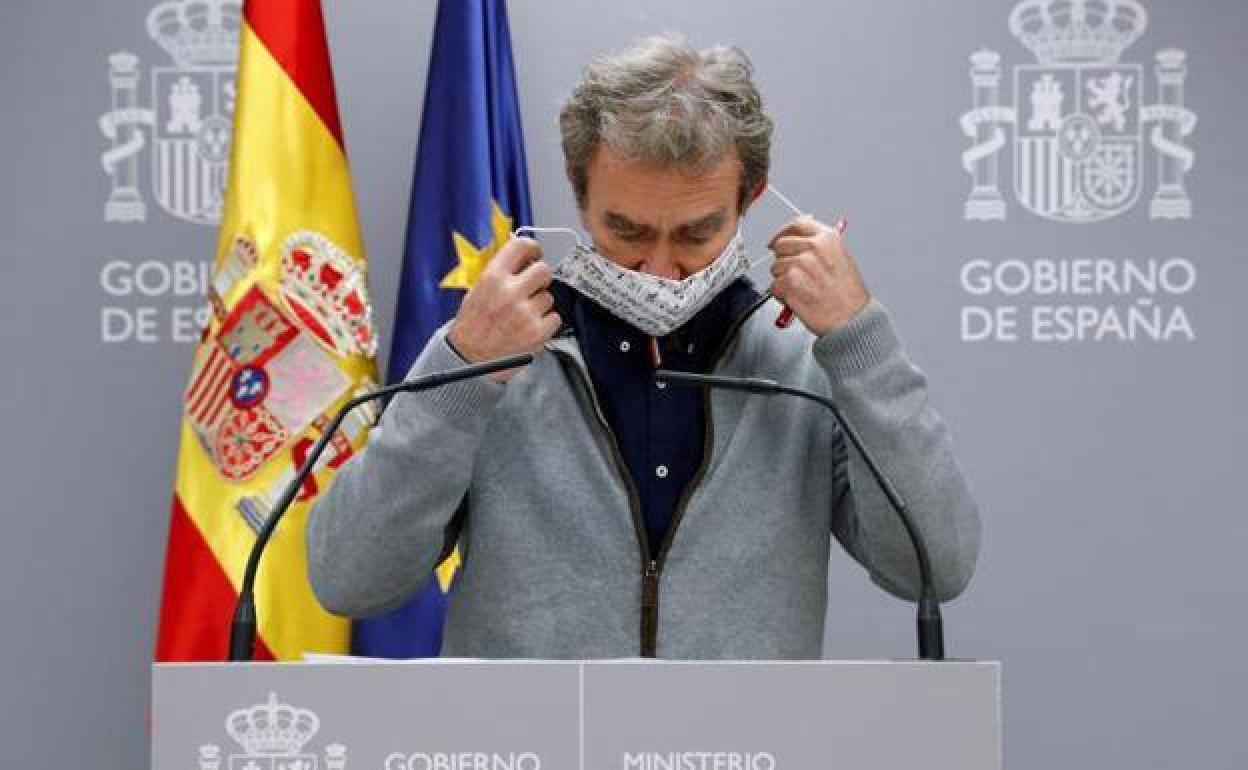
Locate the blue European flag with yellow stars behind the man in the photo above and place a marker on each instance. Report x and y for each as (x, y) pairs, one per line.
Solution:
(470, 193)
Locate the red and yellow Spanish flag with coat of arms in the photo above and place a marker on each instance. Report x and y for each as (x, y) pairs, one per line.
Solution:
(290, 340)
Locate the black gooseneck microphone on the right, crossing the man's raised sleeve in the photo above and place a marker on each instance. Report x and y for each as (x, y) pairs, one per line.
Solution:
(930, 627)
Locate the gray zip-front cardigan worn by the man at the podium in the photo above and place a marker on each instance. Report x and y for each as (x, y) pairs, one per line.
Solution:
(526, 476)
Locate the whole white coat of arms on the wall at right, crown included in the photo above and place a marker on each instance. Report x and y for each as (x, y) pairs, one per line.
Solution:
(1080, 120)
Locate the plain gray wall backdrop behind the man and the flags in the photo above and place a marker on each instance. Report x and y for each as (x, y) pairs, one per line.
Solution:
(1108, 470)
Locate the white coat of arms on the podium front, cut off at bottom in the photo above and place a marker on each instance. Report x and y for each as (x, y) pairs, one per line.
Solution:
(273, 737)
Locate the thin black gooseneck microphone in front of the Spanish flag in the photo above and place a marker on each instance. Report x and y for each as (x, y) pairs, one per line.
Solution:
(243, 628)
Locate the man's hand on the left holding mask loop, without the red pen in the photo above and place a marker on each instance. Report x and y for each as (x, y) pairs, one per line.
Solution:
(510, 310)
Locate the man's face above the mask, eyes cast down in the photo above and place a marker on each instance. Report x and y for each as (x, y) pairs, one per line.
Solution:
(670, 223)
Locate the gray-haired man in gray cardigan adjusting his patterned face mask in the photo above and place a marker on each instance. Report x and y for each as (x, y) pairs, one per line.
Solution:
(602, 512)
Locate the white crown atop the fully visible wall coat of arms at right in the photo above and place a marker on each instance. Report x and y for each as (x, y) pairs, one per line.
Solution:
(1078, 31)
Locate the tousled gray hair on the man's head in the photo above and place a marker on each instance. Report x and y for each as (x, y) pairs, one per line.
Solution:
(668, 104)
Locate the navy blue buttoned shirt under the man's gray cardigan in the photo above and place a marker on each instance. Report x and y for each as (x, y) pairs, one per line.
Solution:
(661, 430)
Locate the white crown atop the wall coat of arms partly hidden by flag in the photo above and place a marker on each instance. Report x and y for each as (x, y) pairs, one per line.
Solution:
(198, 33)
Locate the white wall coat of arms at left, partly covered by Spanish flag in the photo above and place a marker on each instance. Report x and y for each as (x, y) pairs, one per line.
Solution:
(189, 120)
